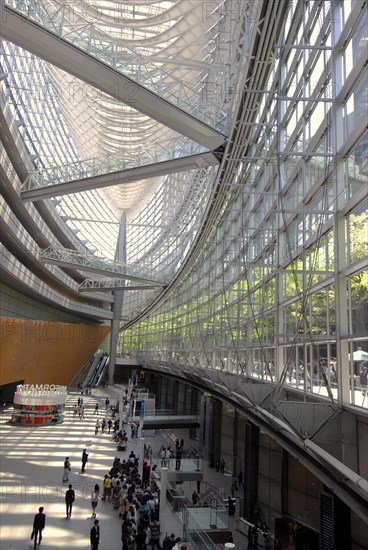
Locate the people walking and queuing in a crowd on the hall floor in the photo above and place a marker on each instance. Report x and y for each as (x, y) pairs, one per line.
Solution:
(130, 496)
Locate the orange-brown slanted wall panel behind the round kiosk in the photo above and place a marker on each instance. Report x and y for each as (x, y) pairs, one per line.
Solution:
(43, 352)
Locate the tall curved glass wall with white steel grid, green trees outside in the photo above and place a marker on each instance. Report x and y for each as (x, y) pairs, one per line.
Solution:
(280, 290)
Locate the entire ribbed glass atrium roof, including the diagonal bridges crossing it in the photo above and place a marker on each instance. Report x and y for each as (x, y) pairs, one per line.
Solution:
(122, 108)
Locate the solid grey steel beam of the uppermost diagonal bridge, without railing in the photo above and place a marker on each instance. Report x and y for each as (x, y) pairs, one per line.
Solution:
(20, 30)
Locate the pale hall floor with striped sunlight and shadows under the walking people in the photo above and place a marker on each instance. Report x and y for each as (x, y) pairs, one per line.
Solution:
(31, 476)
